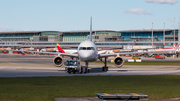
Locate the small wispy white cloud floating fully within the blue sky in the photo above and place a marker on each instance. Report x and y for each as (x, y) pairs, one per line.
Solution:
(137, 11)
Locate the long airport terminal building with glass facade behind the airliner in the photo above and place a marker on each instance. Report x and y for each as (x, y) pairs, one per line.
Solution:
(102, 38)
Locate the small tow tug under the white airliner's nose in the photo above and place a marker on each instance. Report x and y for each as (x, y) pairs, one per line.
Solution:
(74, 66)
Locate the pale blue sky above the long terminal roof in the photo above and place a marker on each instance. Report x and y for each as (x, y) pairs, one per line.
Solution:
(74, 15)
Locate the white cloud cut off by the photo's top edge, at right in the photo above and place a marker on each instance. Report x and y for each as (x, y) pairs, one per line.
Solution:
(162, 1)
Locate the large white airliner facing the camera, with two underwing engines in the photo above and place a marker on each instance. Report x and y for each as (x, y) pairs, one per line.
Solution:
(87, 52)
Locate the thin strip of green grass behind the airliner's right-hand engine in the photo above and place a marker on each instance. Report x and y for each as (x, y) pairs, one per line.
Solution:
(165, 63)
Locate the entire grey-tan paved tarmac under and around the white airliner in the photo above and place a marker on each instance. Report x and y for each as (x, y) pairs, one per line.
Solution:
(42, 66)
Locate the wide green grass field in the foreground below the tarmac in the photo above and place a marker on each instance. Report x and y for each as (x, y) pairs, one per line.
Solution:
(48, 88)
